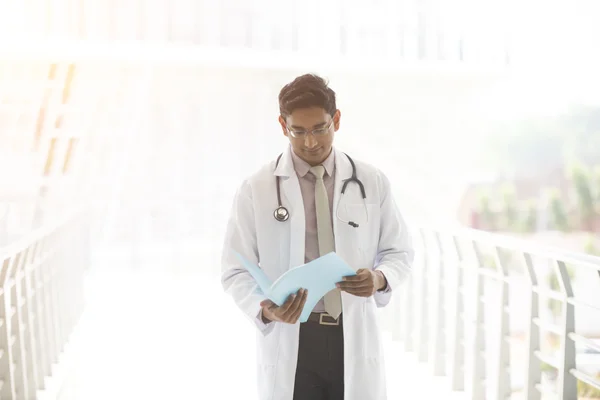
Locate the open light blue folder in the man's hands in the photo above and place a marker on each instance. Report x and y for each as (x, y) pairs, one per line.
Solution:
(318, 277)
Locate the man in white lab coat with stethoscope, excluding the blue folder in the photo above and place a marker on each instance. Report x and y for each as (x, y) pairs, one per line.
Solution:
(337, 353)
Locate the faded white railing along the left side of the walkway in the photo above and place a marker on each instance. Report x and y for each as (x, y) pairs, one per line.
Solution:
(41, 299)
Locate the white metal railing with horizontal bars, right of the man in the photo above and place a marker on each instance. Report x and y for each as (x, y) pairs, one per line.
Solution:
(473, 310)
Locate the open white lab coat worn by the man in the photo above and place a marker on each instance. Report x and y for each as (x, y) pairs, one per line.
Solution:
(383, 243)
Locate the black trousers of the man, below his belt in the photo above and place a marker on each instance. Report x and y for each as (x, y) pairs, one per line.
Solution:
(320, 370)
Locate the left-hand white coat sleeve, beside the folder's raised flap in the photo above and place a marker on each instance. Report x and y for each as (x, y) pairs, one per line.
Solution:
(237, 282)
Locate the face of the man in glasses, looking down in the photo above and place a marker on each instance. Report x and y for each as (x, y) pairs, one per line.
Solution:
(311, 131)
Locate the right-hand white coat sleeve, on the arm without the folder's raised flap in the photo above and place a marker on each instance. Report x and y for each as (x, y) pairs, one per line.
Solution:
(395, 252)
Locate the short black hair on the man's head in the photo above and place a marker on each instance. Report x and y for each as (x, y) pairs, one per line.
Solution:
(306, 91)
